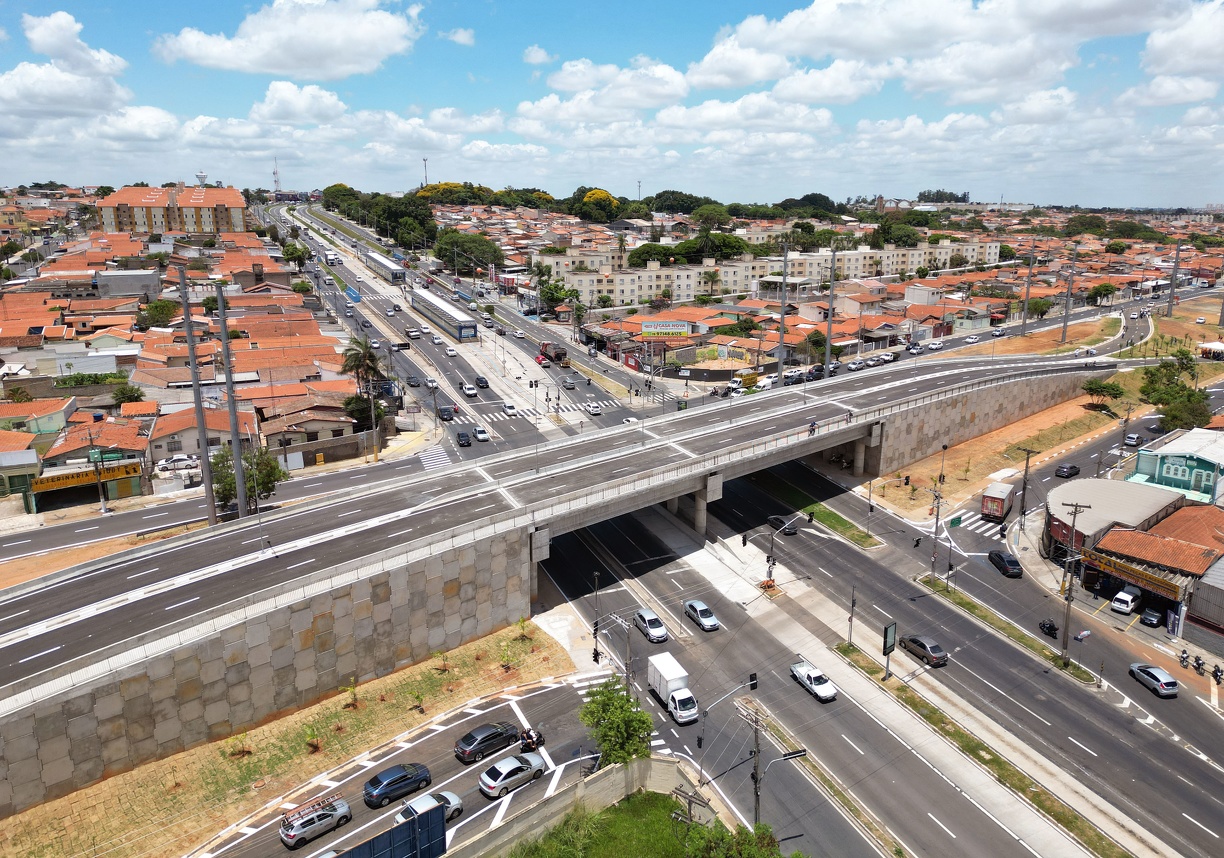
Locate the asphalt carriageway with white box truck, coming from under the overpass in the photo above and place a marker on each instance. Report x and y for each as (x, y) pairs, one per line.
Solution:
(636, 569)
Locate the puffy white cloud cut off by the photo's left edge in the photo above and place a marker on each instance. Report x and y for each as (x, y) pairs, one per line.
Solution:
(79, 81)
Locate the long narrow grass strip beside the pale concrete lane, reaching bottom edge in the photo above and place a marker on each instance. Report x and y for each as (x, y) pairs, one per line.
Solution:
(1004, 772)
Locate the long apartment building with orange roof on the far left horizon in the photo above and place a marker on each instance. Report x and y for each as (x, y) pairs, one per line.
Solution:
(198, 211)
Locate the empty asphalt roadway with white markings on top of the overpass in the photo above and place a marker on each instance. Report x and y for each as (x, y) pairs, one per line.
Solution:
(499, 485)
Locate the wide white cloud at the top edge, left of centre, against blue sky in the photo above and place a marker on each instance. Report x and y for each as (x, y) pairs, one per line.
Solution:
(314, 40)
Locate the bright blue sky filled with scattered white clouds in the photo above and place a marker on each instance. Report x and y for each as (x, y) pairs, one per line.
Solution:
(1047, 102)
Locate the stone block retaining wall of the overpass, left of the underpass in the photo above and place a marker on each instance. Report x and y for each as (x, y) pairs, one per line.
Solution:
(255, 671)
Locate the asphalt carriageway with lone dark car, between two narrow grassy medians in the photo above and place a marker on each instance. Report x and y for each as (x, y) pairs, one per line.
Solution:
(1101, 739)
